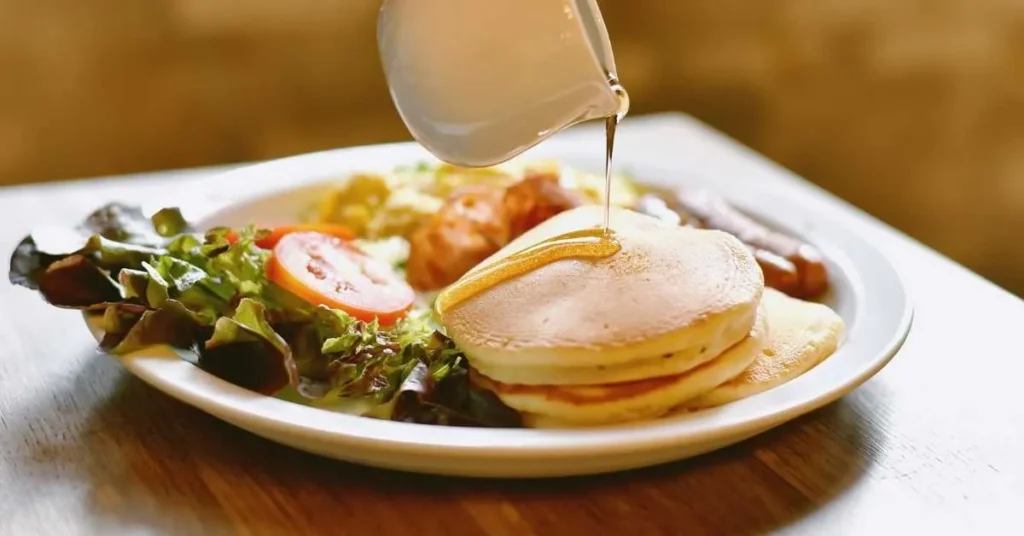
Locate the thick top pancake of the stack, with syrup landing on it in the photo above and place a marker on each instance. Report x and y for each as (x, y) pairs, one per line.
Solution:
(668, 290)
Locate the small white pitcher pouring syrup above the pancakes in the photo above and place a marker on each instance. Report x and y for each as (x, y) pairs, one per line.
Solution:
(479, 83)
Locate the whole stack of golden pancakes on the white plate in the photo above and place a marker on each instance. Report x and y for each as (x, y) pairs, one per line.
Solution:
(678, 318)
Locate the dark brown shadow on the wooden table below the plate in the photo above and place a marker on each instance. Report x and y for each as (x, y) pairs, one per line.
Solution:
(150, 461)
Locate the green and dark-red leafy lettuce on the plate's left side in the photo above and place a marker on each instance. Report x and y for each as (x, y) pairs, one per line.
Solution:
(158, 281)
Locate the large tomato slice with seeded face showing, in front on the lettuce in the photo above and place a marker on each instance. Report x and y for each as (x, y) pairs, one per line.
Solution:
(327, 271)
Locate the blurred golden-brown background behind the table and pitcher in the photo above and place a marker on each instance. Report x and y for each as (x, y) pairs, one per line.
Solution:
(913, 110)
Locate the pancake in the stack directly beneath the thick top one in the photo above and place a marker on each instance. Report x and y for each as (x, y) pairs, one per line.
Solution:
(574, 405)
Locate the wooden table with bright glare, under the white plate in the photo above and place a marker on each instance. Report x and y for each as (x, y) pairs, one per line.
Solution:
(934, 443)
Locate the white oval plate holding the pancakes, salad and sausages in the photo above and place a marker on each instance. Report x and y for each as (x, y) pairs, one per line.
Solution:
(868, 294)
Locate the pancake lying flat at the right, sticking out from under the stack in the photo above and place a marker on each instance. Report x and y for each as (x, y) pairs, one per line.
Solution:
(801, 335)
